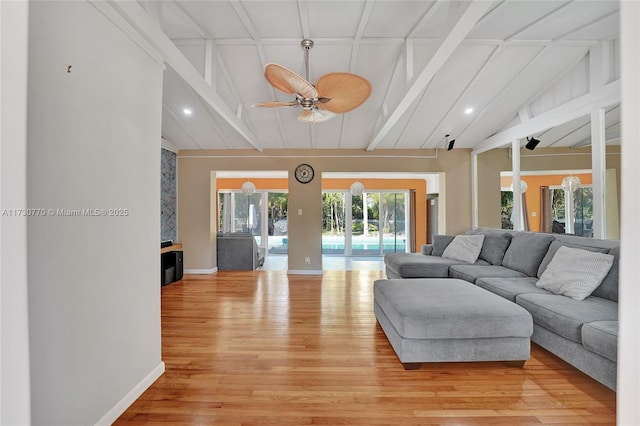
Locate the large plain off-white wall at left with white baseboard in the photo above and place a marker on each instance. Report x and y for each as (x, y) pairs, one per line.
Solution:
(94, 282)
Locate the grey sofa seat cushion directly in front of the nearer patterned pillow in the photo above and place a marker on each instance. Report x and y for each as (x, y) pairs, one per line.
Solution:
(565, 316)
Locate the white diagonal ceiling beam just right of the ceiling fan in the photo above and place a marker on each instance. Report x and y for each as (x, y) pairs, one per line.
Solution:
(458, 32)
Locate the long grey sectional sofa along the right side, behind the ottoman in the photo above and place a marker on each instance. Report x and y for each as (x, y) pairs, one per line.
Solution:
(581, 330)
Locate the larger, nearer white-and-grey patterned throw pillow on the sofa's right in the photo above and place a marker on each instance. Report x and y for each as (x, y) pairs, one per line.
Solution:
(575, 273)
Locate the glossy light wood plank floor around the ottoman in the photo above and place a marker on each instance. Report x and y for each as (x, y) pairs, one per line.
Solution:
(264, 348)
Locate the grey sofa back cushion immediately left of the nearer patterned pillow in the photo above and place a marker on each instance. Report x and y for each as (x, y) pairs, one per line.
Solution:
(526, 251)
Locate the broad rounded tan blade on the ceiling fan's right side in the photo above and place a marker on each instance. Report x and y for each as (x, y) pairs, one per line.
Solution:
(347, 91)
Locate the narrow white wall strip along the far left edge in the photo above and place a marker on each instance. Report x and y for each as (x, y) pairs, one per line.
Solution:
(14, 336)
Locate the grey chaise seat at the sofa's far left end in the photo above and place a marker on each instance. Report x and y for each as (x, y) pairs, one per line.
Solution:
(415, 265)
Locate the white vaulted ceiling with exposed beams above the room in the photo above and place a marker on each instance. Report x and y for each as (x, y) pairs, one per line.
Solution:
(467, 69)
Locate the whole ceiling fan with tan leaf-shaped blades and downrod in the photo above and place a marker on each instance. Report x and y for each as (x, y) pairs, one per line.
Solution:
(333, 93)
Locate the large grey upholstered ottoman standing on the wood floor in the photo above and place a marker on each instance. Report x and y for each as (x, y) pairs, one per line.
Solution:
(450, 320)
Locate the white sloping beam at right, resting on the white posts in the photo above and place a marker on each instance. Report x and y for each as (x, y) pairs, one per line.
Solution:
(600, 98)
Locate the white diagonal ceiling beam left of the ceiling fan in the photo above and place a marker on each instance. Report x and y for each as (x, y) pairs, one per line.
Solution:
(138, 18)
